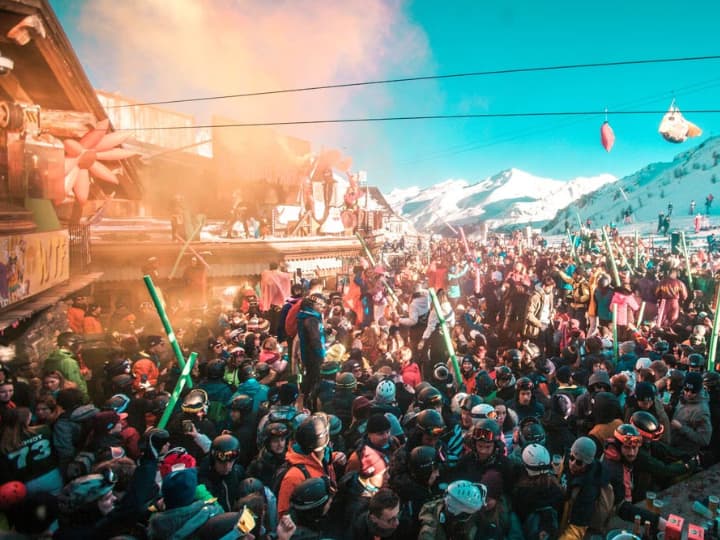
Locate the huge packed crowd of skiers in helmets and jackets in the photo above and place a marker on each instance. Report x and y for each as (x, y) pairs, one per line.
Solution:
(496, 390)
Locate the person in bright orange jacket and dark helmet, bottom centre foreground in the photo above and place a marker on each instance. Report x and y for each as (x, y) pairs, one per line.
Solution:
(308, 457)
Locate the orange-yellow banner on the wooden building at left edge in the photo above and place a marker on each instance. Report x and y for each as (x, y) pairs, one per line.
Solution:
(32, 263)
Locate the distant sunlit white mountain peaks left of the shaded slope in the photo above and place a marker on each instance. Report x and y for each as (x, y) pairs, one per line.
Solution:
(511, 197)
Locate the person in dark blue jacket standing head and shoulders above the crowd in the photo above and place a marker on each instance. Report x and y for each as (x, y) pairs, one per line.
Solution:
(311, 339)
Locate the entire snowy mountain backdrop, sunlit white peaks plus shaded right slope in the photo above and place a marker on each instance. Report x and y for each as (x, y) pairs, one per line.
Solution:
(515, 197)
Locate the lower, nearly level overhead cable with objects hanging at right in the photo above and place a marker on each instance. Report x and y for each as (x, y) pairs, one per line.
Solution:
(416, 117)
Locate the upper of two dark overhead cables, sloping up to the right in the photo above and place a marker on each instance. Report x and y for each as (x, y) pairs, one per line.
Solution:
(428, 78)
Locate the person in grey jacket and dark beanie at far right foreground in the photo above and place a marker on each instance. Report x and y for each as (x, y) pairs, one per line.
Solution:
(691, 425)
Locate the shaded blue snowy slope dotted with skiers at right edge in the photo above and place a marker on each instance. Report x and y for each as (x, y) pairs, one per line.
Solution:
(692, 175)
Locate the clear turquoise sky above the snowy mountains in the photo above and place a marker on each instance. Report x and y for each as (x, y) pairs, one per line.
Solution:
(478, 35)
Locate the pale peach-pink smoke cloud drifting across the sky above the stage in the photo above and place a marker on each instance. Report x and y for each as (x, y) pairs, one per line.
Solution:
(156, 50)
